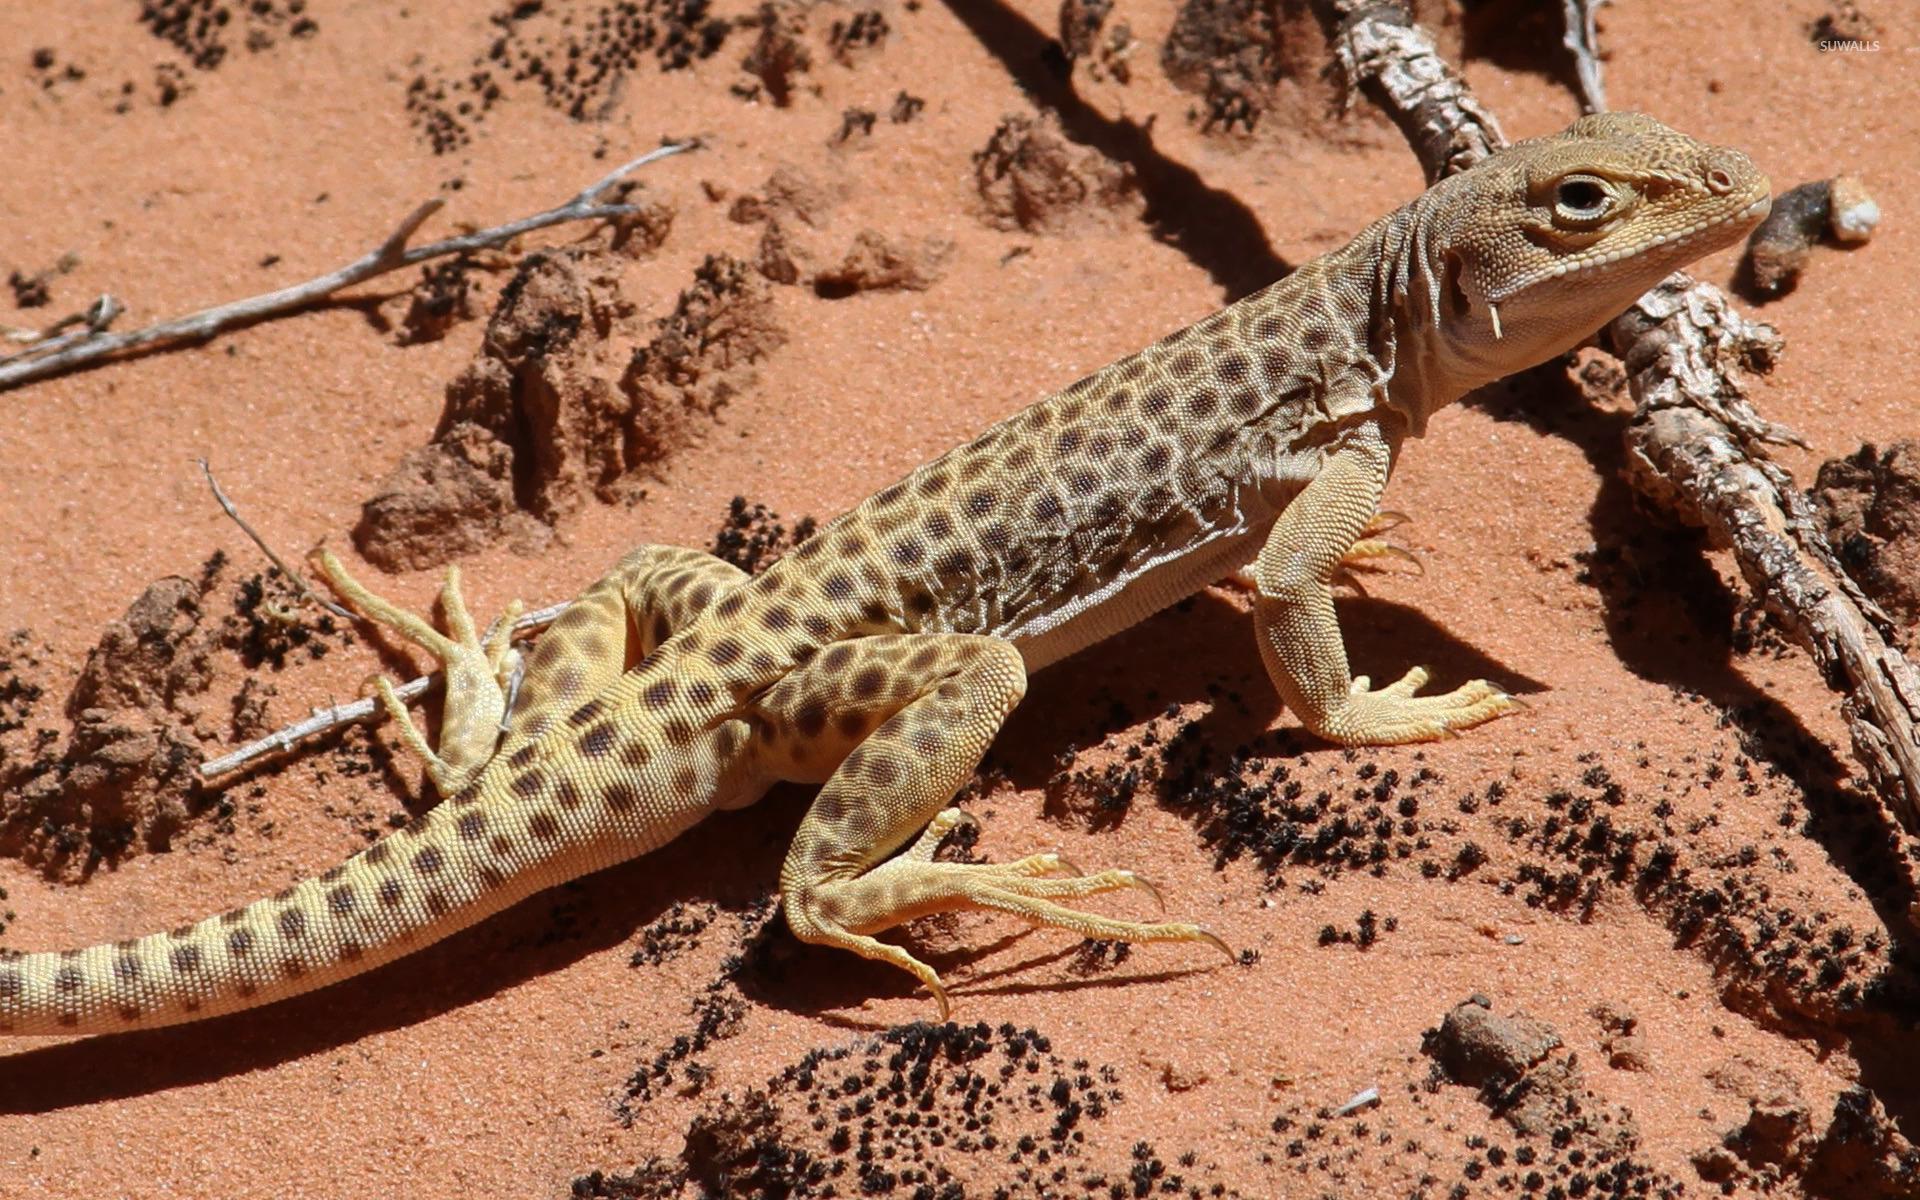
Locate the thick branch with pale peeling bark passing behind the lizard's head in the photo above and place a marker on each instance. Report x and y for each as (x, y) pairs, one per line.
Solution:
(1696, 446)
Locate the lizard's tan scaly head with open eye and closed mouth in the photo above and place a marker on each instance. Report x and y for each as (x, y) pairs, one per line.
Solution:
(1541, 245)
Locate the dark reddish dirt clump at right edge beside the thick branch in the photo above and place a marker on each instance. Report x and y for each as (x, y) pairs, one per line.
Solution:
(1871, 502)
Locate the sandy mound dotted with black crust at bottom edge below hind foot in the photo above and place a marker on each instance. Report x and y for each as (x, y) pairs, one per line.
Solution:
(921, 1111)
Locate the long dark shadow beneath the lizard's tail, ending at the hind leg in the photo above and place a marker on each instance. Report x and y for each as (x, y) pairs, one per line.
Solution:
(540, 936)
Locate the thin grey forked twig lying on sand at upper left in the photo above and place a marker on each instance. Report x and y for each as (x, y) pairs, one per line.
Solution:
(59, 356)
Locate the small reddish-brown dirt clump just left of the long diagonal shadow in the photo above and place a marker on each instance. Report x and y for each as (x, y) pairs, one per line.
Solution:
(1032, 178)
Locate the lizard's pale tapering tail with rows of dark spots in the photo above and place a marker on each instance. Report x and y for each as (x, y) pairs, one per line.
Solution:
(454, 867)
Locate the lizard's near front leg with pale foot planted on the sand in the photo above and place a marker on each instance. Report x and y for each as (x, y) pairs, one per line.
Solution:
(1299, 635)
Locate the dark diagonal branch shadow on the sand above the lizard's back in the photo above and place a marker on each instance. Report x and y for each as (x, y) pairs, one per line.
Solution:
(1212, 228)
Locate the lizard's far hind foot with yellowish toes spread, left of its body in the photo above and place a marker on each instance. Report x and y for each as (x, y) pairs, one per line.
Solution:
(479, 675)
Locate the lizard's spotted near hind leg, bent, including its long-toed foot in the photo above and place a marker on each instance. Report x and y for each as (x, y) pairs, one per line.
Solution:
(932, 702)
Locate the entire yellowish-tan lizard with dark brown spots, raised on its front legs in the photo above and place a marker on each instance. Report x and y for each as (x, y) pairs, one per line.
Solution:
(884, 654)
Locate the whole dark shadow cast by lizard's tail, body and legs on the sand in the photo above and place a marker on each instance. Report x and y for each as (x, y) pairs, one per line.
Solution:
(1178, 658)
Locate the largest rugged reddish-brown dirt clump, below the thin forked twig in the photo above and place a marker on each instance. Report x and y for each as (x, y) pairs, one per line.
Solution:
(556, 410)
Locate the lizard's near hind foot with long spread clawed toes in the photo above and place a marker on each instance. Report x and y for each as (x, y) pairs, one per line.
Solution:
(846, 913)
